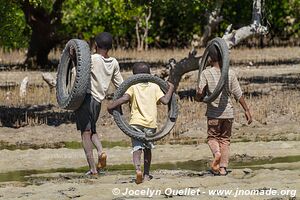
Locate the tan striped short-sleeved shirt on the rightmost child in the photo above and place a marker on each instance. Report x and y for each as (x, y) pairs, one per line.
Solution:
(221, 108)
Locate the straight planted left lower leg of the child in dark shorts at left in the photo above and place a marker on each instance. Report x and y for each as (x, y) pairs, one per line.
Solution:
(88, 149)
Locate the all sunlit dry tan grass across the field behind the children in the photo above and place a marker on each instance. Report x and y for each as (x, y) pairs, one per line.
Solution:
(279, 102)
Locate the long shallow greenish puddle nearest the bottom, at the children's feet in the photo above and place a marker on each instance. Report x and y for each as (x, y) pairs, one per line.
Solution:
(125, 169)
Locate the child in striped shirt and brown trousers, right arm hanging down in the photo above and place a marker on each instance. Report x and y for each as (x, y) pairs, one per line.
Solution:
(220, 112)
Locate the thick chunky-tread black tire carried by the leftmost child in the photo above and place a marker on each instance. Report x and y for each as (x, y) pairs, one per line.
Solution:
(70, 97)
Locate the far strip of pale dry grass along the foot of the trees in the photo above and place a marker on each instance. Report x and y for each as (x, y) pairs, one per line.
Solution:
(163, 55)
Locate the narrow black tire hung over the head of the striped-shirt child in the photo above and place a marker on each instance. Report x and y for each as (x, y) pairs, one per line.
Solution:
(224, 51)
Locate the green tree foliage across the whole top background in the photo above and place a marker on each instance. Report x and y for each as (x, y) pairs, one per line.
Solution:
(172, 23)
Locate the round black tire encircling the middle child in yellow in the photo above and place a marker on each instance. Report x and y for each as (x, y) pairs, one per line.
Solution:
(172, 114)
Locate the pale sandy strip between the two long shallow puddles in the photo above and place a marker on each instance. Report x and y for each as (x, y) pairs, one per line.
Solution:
(73, 158)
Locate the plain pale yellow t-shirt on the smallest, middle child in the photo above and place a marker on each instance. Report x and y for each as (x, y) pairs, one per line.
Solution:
(143, 101)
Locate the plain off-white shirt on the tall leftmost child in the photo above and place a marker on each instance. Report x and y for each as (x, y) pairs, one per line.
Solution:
(103, 71)
